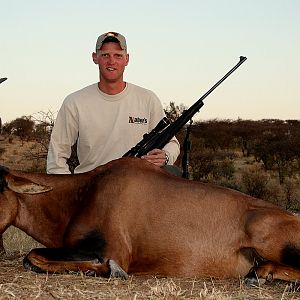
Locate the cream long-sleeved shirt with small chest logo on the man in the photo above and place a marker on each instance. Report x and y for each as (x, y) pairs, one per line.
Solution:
(106, 126)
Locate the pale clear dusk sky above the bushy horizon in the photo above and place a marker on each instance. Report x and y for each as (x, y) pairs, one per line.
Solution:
(178, 49)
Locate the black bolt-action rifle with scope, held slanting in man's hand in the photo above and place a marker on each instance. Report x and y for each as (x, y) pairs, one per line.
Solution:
(164, 130)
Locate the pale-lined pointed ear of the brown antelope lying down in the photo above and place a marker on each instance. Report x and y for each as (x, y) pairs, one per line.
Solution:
(25, 186)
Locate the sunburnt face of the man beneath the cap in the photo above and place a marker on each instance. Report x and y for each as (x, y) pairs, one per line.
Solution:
(112, 61)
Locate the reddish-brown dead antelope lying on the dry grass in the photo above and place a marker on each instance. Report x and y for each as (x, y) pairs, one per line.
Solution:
(129, 216)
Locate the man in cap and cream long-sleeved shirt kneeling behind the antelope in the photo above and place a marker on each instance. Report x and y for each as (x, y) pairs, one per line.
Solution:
(107, 118)
